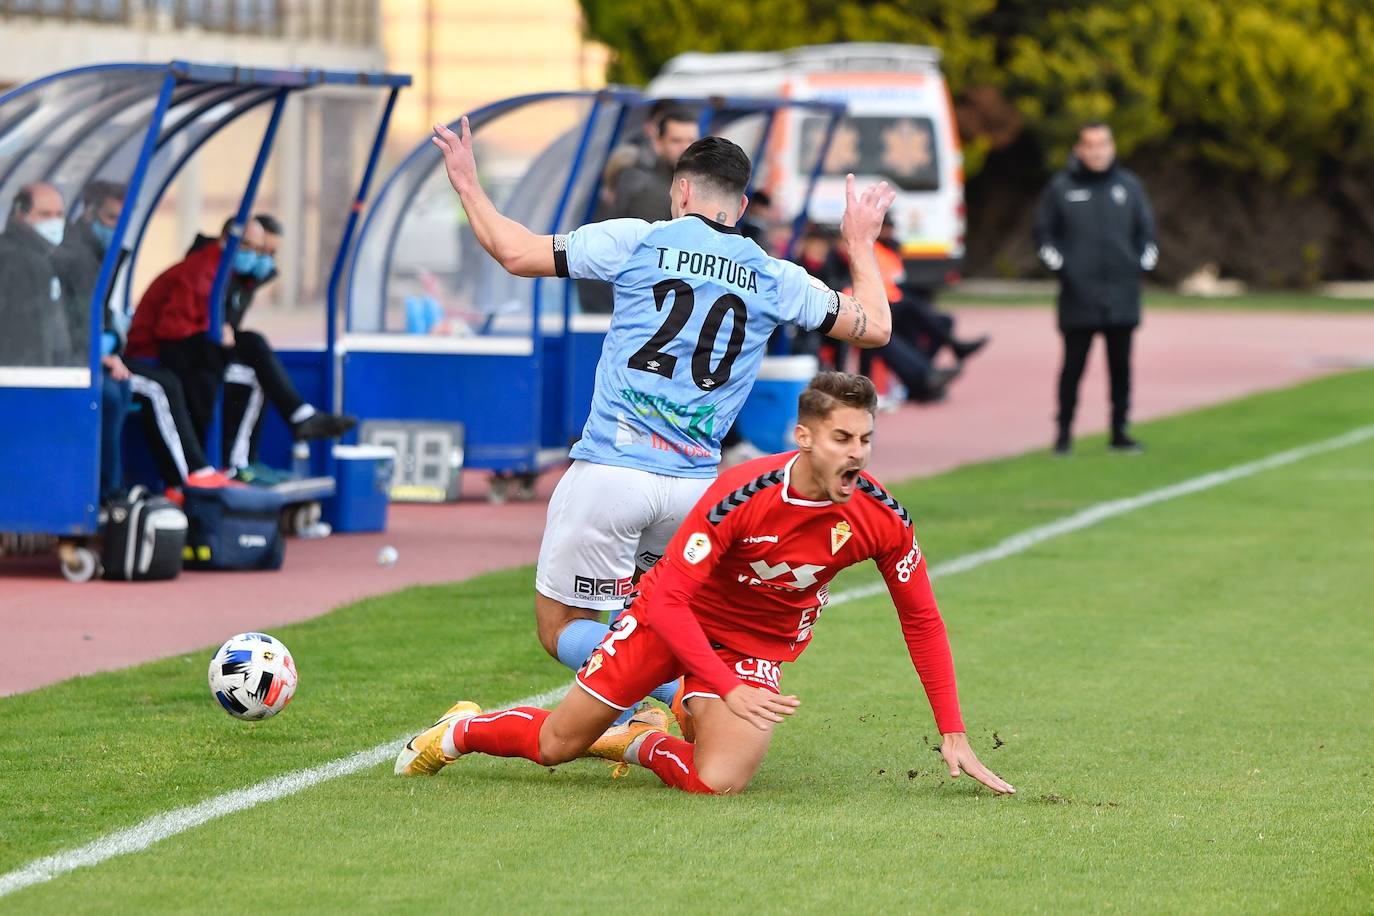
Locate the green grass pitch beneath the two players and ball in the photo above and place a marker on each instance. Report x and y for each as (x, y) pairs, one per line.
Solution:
(1184, 698)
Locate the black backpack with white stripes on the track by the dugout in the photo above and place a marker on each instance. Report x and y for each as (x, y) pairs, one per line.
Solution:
(144, 538)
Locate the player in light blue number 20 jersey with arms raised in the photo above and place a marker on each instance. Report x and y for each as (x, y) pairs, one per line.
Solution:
(695, 307)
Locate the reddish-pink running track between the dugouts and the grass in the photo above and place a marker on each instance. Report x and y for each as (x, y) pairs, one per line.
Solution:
(1004, 406)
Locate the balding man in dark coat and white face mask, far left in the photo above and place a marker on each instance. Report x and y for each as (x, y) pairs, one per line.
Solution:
(34, 326)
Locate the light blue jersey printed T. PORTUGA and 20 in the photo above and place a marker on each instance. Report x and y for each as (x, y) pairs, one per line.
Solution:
(696, 304)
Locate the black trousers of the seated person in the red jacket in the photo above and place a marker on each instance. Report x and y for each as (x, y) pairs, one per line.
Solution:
(200, 365)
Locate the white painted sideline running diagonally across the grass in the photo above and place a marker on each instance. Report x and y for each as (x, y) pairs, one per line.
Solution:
(160, 827)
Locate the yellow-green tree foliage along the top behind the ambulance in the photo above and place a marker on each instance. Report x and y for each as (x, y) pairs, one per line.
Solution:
(1268, 90)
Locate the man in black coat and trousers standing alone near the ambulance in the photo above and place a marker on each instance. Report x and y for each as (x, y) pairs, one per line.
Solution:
(1096, 230)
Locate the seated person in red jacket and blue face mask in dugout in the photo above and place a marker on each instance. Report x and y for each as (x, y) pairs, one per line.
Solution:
(172, 326)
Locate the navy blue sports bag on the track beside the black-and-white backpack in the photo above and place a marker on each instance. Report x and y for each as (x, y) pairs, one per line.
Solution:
(234, 528)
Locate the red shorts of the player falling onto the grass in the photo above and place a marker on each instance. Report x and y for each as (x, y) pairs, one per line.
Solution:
(633, 661)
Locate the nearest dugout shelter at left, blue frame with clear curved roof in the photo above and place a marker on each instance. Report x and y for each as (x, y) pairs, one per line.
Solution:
(139, 126)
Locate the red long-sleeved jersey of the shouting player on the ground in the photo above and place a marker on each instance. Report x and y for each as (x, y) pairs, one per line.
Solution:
(762, 560)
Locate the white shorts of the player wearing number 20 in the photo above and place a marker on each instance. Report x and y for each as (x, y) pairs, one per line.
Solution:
(604, 523)
